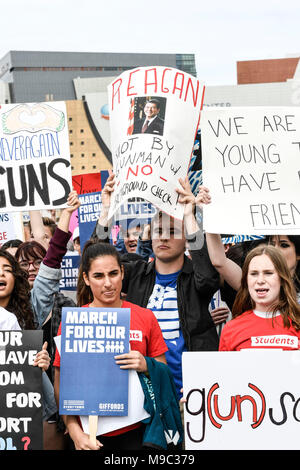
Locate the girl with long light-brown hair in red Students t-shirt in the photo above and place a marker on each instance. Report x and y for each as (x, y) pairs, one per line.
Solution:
(265, 312)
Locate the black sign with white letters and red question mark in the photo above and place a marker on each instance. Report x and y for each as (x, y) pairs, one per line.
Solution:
(20, 391)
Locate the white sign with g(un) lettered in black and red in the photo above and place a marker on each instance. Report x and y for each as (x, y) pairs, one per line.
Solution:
(246, 400)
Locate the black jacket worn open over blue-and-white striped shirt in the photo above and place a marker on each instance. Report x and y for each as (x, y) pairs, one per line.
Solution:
(196, 284)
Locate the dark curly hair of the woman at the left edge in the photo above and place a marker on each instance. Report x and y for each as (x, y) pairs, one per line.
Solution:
(19, 302)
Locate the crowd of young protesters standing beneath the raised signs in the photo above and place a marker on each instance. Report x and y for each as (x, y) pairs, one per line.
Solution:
(167, 273)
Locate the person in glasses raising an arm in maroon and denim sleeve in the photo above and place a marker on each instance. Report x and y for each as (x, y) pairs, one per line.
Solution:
(43, 270)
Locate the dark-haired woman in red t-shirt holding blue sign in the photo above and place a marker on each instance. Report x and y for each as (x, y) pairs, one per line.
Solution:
(99, 285)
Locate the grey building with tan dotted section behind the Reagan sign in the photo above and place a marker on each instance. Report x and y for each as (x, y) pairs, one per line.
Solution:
(32, 76)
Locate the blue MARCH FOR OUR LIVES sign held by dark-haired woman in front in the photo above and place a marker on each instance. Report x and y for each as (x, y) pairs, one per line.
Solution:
(91, 383)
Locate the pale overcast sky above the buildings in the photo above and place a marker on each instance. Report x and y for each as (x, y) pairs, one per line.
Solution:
(219, 33)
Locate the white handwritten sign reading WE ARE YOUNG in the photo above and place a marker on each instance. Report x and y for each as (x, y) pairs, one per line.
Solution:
(251, 164)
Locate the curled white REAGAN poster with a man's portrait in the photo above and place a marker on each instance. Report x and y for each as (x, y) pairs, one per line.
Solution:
(149, 157)
